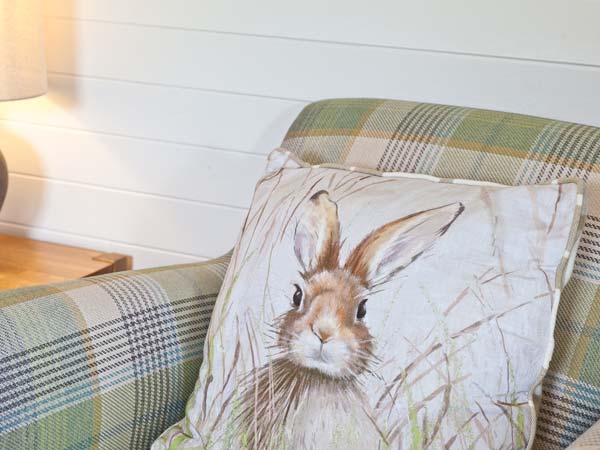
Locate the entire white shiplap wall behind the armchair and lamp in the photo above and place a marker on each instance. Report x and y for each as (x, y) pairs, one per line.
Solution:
(160, 113)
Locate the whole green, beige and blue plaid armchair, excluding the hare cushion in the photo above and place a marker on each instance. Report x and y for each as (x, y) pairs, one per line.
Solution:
(108, 362)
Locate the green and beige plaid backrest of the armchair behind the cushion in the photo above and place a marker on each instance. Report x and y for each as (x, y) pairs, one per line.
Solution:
(455, 142)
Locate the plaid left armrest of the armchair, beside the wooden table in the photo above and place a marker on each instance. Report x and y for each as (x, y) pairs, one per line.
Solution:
(106, 362)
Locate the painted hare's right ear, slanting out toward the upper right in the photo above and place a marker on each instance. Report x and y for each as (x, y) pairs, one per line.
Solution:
(392, 247)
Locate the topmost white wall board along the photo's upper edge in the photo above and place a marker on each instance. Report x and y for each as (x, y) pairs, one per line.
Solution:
(535, 29)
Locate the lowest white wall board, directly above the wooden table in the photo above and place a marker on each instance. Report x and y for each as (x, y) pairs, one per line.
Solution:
(142, 257)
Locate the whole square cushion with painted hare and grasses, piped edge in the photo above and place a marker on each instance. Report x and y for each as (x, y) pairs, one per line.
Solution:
(377, 311)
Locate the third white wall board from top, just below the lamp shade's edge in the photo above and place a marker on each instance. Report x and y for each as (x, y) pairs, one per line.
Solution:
(238, 122)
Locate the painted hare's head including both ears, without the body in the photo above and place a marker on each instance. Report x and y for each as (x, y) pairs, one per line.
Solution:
(324, 331)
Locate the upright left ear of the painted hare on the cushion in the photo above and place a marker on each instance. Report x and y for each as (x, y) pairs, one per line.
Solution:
(317, 236)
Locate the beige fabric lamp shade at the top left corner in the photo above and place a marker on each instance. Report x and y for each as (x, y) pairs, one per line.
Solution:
(22, 55)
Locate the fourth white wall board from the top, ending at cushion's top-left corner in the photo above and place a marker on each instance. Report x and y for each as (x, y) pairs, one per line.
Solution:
(181, 171)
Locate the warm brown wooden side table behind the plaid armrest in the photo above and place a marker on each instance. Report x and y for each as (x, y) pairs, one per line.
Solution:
(27, 262)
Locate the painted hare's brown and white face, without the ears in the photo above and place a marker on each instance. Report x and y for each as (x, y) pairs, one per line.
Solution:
(325, 328)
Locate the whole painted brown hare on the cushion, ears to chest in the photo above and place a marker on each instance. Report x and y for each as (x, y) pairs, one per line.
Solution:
(309, 397)
